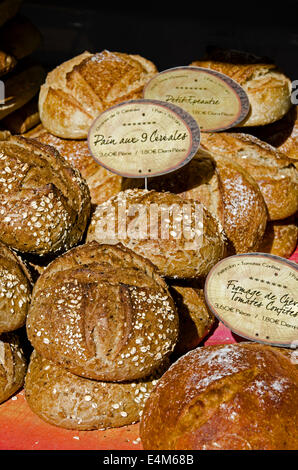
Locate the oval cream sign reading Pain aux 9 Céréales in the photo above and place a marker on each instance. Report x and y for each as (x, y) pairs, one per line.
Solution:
(143, 138)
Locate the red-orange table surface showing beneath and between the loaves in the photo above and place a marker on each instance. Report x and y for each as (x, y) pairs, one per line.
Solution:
(21, 429)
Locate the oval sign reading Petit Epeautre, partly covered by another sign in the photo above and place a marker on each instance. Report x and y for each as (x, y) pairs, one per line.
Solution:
(215, 100)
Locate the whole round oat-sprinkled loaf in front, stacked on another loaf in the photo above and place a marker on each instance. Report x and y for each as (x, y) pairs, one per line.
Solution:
(103, 313)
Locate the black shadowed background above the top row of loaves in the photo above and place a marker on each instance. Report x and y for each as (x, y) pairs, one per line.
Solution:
(169, 34)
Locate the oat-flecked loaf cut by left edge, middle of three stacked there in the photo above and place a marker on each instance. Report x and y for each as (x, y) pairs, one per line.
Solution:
(15, 290)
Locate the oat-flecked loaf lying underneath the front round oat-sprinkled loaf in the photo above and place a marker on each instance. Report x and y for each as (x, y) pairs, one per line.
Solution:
(66, 400)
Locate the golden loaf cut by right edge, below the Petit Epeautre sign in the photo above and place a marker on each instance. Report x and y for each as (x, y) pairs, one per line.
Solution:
(275, 174)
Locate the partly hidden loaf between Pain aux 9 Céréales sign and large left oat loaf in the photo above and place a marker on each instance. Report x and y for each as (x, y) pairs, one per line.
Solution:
(102, 183)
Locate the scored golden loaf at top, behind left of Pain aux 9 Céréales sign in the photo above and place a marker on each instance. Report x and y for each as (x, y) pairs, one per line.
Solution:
(78, 90)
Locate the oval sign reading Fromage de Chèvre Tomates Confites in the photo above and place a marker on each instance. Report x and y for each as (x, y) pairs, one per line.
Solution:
(256, 296)
